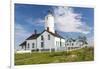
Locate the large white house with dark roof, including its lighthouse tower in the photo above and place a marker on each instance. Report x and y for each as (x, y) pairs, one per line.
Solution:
(47, 40)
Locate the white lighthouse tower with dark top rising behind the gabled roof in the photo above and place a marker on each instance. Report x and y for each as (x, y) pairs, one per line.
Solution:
(49, 22)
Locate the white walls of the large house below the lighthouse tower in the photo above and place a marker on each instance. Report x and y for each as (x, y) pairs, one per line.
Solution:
(48, 44)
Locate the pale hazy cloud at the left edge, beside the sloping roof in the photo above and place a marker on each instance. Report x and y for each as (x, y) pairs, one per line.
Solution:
(20, 34)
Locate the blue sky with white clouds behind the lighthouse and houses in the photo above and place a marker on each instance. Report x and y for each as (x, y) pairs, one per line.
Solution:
(69, 21)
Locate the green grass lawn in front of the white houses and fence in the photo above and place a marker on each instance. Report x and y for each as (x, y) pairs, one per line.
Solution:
(84, 54)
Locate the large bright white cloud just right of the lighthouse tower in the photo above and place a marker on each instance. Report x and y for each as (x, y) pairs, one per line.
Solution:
(66, 20)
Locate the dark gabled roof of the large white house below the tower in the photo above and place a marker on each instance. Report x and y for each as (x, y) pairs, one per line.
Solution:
(35, 36)
